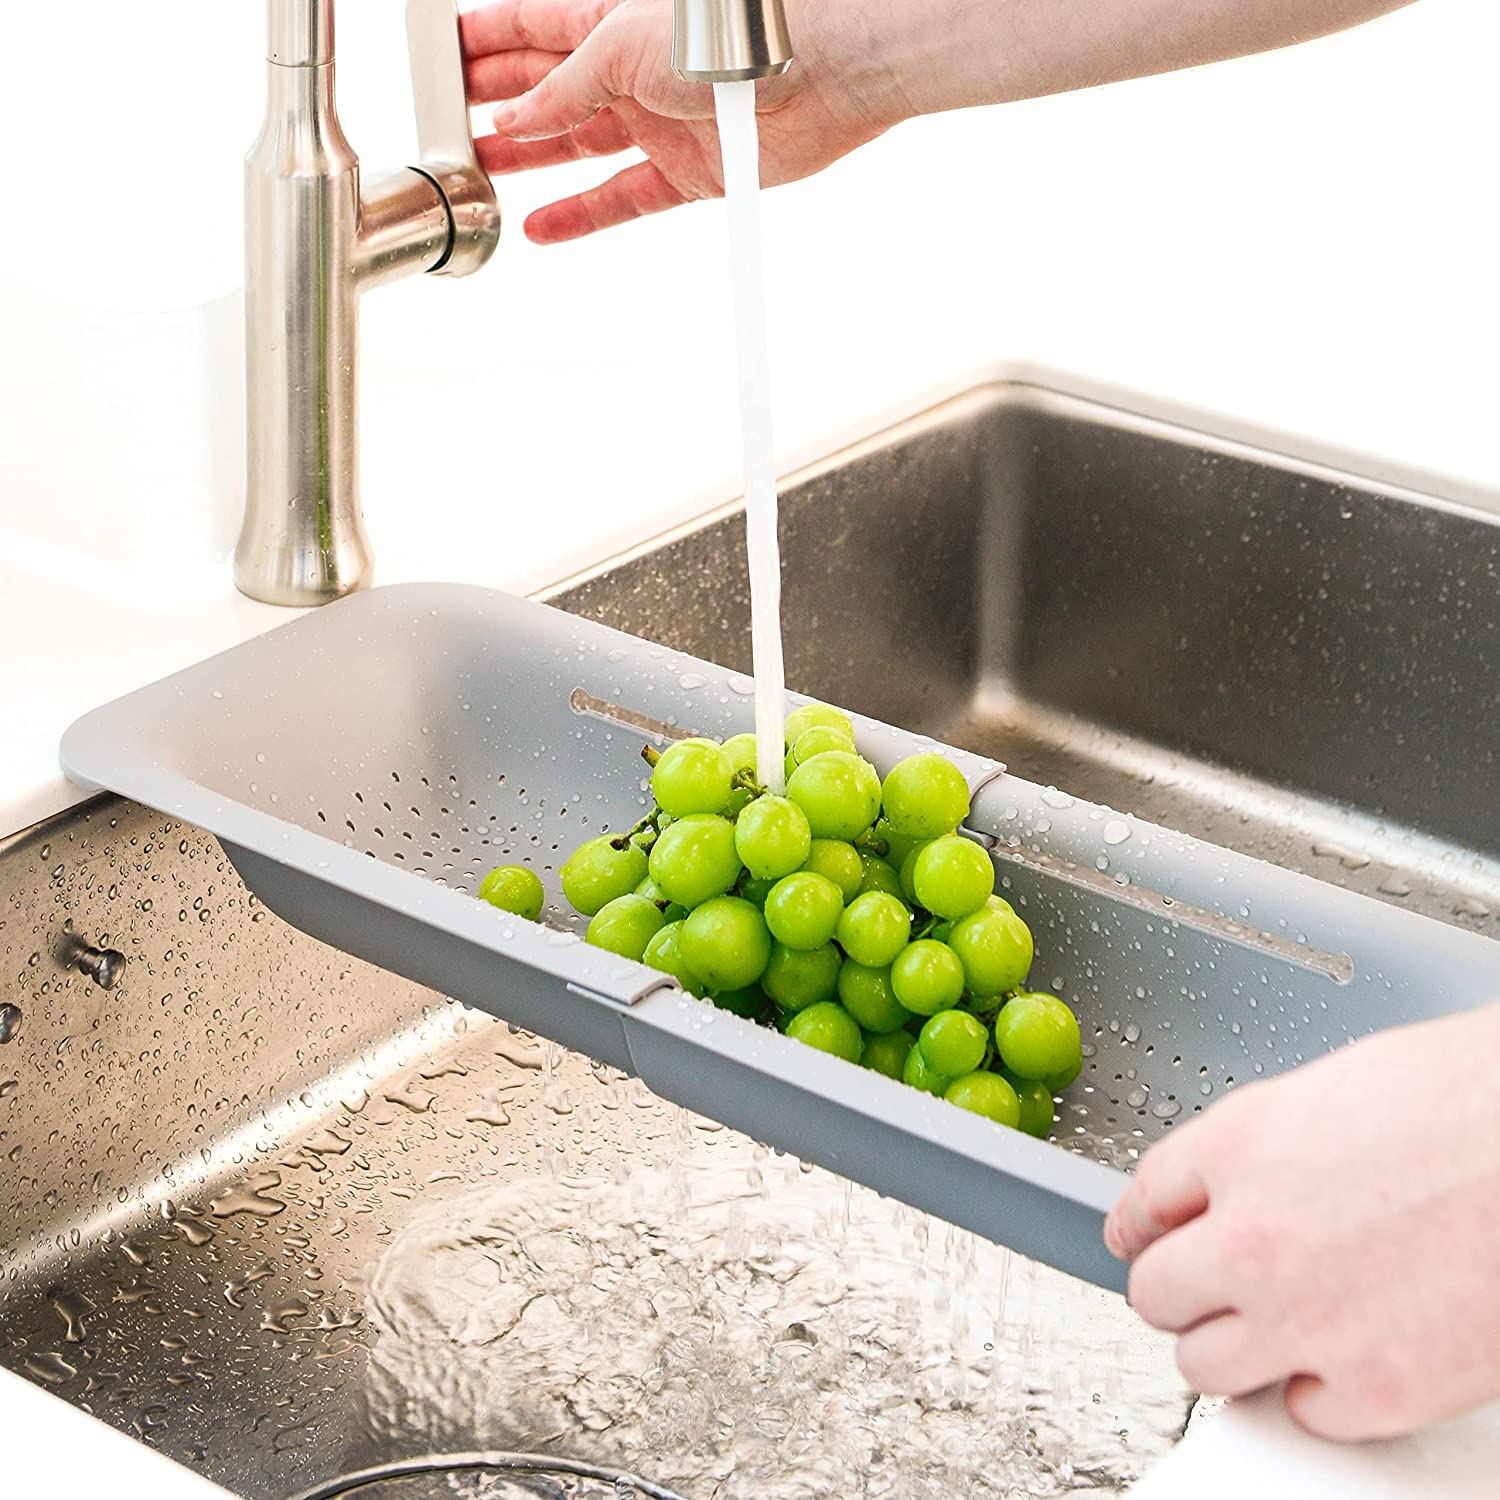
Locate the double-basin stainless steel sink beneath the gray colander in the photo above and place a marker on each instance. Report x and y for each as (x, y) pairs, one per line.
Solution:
(287, 1217)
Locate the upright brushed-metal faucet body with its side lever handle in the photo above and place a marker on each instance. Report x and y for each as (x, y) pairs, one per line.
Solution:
(317, 238)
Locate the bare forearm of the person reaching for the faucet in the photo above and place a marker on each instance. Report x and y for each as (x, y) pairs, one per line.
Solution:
(949, 55)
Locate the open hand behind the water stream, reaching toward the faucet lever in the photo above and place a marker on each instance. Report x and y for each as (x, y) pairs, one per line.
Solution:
(593, 77)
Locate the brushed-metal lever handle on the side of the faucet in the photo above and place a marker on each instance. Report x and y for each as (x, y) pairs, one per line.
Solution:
(445, 137)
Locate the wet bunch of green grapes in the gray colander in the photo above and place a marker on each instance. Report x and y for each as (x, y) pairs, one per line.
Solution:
(850, 913)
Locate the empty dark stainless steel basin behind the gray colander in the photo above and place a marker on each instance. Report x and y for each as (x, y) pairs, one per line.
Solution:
(1276, 658)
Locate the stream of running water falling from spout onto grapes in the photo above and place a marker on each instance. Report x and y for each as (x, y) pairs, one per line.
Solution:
(742, 155)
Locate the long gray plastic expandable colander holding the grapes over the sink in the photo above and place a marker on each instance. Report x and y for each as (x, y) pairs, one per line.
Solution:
(367, 764)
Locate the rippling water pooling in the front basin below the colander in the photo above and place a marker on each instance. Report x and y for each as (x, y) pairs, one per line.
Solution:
(730, 1324)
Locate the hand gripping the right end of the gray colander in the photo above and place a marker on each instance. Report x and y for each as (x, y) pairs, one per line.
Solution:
(1337, 1229)
